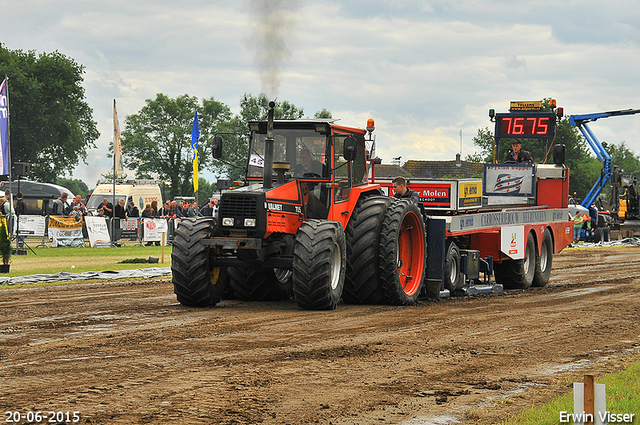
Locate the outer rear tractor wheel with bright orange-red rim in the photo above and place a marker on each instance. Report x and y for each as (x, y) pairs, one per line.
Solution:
(402, 253)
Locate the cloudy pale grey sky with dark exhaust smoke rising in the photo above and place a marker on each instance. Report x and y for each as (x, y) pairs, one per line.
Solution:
(424, 70)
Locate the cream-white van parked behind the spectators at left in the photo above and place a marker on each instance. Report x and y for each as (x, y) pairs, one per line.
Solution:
(141, 192)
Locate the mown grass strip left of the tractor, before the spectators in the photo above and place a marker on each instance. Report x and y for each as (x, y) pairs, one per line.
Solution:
(76, 260)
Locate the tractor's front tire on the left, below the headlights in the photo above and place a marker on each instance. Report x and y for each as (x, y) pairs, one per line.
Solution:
(195, 281)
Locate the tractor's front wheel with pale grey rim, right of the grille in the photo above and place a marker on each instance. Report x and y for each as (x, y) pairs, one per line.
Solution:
(319, 263)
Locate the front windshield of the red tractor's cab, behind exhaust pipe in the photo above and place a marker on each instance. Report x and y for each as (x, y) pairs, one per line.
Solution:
(303, 149)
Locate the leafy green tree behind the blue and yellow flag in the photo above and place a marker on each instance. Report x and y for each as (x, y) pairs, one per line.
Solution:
(156, 142)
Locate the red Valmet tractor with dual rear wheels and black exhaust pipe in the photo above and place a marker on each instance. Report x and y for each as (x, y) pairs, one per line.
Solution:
(307, 223)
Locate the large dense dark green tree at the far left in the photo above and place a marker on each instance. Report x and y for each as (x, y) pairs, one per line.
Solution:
(51, 125)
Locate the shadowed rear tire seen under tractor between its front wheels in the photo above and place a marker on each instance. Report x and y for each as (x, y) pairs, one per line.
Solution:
(260, 284)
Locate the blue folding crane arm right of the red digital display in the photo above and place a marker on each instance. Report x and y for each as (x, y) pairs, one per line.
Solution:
(581, 121)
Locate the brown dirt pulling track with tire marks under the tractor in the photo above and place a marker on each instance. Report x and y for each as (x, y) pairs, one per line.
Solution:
(127, 352)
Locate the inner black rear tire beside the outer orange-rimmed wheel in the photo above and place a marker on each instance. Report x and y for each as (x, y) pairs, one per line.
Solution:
(362, 280)
